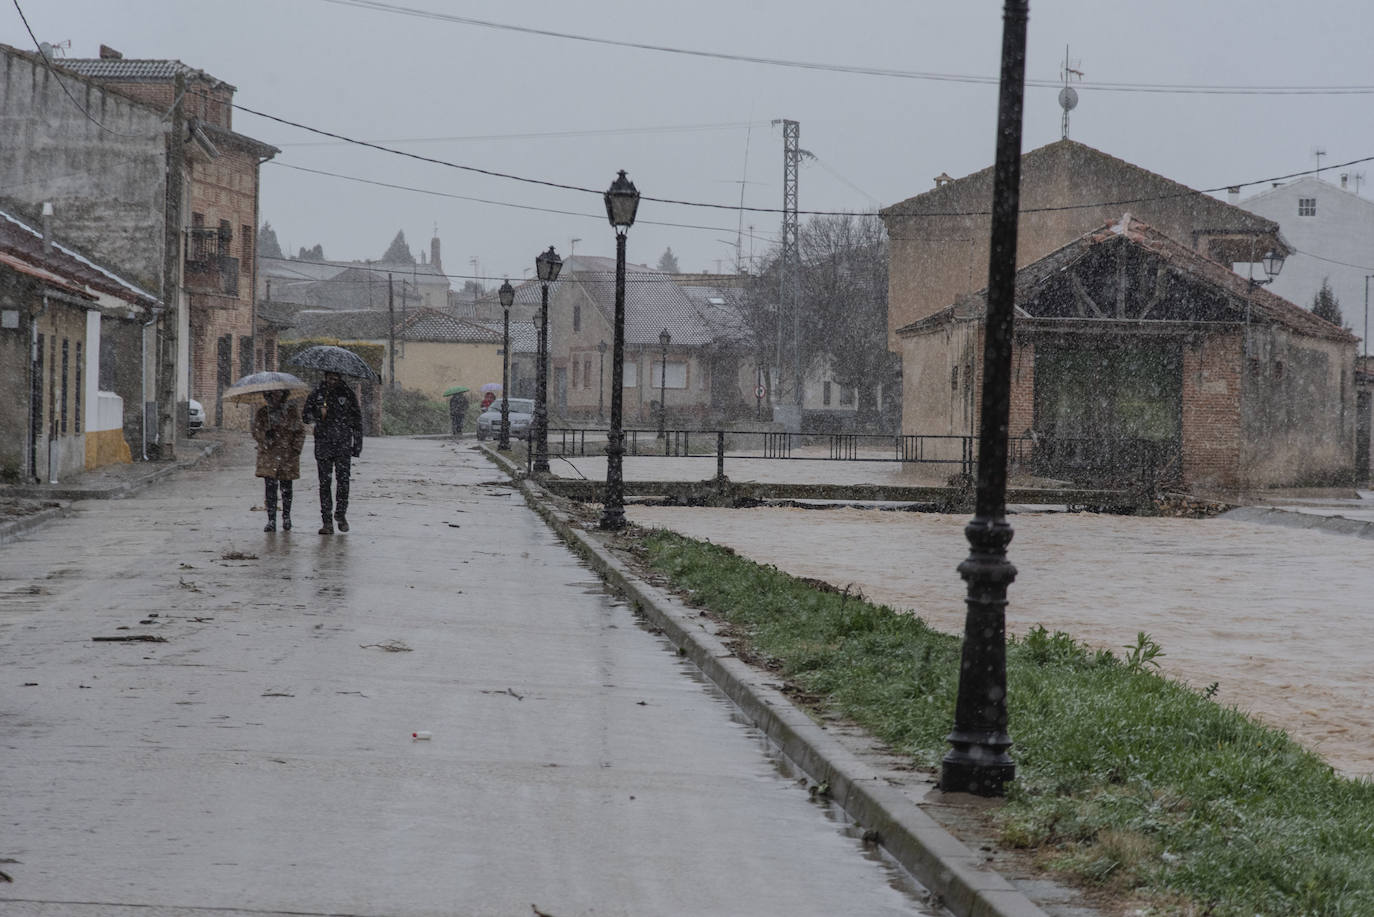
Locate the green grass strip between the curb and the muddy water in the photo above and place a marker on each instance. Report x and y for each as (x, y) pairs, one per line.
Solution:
(1126, 780)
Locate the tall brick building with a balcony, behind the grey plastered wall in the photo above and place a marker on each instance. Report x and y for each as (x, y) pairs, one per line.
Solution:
(219, 211)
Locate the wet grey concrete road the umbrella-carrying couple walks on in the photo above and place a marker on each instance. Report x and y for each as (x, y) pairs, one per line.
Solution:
(262, 758)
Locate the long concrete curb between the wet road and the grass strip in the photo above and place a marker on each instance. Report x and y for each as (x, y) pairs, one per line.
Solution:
(941, 861)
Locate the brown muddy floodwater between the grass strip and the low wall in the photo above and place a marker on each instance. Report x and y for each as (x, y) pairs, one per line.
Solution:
(1281, 618)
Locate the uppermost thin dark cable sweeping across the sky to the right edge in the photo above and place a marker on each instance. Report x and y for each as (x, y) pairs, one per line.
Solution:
(379, 6)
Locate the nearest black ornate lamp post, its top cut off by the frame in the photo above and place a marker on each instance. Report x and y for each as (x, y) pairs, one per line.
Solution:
(979, 762)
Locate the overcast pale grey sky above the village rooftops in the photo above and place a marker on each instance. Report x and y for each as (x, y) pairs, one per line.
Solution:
(692, 129)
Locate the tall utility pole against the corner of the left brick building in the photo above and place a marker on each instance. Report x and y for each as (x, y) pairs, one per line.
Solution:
(170, 329)
